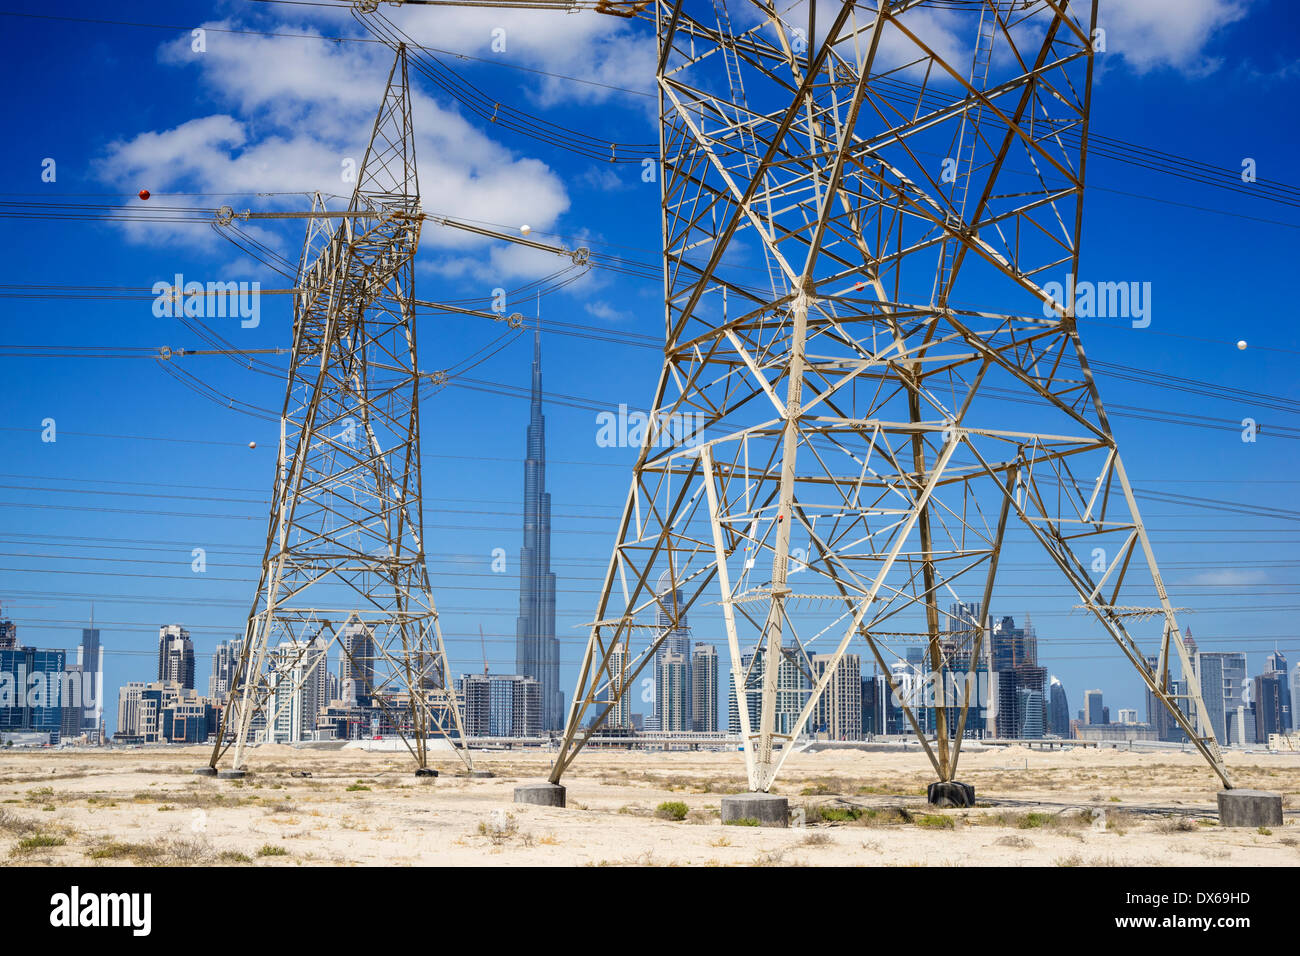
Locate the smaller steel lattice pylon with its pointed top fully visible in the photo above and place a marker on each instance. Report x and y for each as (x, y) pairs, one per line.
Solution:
(345, 559)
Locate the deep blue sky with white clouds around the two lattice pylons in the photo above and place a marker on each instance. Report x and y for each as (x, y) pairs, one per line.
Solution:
(144, 470)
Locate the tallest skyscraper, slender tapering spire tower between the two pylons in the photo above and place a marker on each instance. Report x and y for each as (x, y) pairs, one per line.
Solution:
(538, 651)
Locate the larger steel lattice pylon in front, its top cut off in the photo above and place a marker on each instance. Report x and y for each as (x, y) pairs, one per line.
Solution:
(905, 401)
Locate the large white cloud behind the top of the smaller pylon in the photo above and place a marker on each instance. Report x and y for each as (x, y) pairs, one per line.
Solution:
(293, 111)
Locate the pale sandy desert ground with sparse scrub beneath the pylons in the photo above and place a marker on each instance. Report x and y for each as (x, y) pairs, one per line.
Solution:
(1077, 808)
